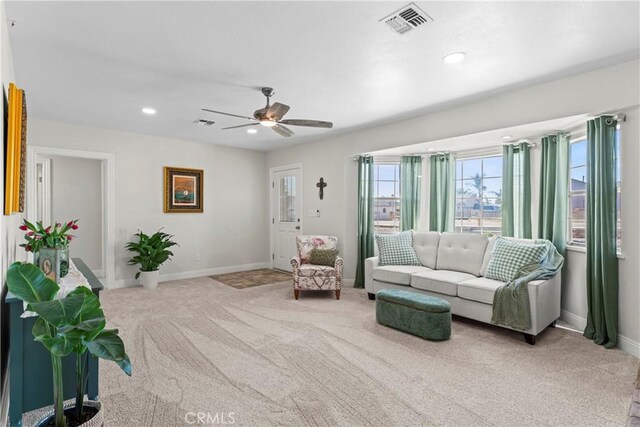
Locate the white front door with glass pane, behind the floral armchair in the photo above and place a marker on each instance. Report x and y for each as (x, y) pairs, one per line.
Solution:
(286, 225)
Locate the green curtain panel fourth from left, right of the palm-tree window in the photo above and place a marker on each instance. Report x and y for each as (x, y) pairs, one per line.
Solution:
(516, 191)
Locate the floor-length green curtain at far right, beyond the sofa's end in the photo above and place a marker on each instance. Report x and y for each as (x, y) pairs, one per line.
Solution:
(602, 261)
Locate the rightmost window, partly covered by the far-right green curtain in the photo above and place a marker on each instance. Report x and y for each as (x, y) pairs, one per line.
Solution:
(577, 213)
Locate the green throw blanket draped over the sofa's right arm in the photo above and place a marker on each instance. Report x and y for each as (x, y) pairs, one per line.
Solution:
(511, 301)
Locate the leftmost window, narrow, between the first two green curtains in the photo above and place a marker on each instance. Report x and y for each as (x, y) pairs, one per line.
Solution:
(386, 202)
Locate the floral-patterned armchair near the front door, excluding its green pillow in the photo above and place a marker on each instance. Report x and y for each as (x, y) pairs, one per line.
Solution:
(310, 277)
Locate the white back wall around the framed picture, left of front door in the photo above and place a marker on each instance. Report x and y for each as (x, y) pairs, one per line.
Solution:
(231, 234)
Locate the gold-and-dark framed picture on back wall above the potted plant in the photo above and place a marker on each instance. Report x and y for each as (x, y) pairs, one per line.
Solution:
(183, 190)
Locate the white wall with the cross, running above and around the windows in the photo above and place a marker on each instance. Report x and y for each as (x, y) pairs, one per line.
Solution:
(610, 89)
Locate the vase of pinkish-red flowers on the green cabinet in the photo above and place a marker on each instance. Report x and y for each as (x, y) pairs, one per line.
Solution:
(50, 246)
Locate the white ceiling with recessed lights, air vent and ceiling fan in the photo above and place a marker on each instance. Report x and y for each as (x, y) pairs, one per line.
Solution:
(98, 63)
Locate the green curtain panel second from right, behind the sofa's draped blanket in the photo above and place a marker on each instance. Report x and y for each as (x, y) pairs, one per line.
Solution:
(554, 182)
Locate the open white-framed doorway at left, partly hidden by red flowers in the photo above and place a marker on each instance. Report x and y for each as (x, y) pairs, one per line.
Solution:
(72, 184)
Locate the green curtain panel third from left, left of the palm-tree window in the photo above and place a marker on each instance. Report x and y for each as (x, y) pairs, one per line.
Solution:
(442, 201)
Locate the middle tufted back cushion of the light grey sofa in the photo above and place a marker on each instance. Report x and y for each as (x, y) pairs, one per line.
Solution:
(461, 252)
